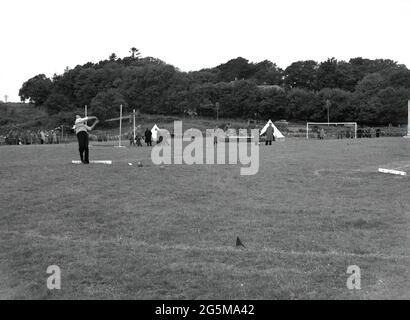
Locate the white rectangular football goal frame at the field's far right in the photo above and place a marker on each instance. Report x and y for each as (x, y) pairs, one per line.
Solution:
(336, 130)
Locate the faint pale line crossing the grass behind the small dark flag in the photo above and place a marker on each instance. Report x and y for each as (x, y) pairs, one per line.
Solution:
(136, 243)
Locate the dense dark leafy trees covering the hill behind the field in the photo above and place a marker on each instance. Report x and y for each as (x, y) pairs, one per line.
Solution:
(371, 92)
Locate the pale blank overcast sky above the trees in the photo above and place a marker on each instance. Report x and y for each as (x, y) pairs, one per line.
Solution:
(45, 36)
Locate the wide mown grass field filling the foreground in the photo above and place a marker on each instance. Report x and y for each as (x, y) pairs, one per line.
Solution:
(169, 232)
